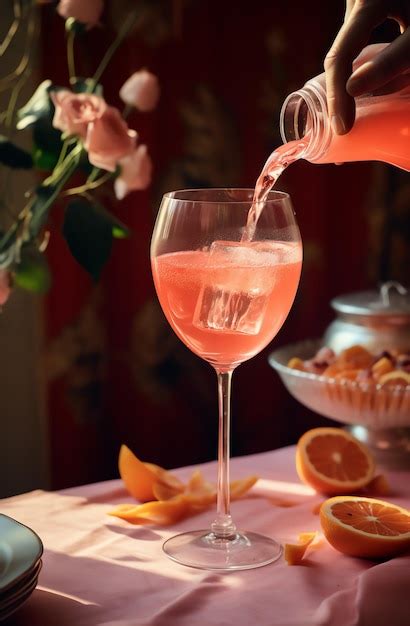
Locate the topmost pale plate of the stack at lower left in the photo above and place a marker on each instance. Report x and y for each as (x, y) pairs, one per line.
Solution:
(20, 549)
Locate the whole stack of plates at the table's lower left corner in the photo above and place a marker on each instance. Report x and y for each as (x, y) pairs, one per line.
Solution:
(20, 564)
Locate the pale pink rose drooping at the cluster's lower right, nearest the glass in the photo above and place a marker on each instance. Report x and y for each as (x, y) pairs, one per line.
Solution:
(136, 169)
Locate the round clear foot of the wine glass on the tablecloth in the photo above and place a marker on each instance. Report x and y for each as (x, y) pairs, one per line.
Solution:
(203, 550)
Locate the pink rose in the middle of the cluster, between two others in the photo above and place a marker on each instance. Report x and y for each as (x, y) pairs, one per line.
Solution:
(109, 139)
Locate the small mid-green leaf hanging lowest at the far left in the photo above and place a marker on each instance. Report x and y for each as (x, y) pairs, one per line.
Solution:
(32, 272)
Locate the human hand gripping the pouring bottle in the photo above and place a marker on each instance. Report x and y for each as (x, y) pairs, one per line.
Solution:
(342, 85)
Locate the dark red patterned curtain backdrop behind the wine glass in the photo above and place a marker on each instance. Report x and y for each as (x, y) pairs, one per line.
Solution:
(116, 372)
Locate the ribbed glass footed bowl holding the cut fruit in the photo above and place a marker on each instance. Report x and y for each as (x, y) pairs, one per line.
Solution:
(376, 414)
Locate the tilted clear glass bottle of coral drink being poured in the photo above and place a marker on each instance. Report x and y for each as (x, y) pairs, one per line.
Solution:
(381, 131)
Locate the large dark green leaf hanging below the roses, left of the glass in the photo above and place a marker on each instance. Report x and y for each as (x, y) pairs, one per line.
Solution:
(88, 234)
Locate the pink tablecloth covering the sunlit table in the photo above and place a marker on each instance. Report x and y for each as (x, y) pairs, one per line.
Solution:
(99, 570)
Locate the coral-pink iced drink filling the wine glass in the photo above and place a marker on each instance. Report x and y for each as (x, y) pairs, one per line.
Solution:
(259, 288)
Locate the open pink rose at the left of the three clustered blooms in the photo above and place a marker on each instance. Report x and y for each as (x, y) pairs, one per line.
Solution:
(74, 111)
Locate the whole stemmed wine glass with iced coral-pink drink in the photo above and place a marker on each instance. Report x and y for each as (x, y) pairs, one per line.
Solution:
(225, 296)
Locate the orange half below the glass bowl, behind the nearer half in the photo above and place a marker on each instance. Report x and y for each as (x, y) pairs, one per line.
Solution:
(333, 462)
